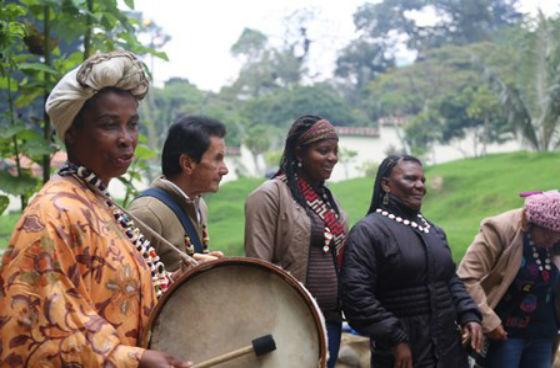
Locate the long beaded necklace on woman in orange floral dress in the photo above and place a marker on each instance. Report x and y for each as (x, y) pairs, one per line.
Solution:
(160, 277)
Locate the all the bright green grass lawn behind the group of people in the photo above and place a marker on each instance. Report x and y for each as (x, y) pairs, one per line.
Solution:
(460, 194)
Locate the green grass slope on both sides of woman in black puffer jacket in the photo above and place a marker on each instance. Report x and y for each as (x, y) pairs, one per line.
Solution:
(469, 191)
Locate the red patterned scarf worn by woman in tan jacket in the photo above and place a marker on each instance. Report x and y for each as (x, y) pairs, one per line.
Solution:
(335, 234)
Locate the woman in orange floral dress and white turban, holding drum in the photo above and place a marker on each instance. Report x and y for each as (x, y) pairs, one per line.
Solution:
(78, 280)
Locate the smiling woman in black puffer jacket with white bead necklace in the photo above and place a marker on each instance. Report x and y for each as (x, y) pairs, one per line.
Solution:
(398, 278)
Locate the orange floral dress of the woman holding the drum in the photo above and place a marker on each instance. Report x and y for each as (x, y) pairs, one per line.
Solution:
(73, 290)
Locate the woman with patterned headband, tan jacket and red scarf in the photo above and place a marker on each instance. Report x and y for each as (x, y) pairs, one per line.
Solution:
(294, 221)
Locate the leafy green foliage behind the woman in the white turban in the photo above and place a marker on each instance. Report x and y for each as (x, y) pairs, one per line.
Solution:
(40, 40)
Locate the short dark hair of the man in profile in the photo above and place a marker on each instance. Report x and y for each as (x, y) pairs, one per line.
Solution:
(190, 135)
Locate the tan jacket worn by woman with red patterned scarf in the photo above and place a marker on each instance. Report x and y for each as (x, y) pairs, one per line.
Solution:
(278, 229)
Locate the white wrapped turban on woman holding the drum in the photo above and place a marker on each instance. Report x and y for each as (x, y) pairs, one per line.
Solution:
(119, 69)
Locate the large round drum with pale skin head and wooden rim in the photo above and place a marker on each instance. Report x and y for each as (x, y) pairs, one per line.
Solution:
(221, 306)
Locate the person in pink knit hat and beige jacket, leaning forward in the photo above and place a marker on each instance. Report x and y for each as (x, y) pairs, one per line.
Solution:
(511, 270)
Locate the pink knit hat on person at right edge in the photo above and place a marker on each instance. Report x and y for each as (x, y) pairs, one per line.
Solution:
(543, 209)
